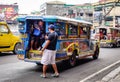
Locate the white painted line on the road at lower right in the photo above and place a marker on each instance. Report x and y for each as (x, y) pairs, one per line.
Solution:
(102, 70)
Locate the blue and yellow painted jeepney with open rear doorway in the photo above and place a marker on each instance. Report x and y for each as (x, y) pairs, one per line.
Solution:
(73, 41)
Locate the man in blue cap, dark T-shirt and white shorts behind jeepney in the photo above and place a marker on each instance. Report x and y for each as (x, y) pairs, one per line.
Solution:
(49, 52)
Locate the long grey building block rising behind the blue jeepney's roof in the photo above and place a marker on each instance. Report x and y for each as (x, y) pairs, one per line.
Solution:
(83, 11)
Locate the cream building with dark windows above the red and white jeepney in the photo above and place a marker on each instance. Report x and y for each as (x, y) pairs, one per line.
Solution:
(106, 12)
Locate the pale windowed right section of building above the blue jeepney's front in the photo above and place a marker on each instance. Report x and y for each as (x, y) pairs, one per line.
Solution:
(83, 11)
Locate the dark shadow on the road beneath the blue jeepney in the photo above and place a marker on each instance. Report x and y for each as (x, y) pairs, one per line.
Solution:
(62, 66)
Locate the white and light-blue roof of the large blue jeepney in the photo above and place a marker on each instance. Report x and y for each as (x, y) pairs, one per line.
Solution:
(55, 18)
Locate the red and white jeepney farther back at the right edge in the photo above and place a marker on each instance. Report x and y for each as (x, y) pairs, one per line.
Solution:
(108, 36)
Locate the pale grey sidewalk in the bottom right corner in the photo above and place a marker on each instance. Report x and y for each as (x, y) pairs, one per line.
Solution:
(113, 76)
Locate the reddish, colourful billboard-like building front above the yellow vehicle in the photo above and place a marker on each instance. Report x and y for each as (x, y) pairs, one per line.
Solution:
(8, 13)
